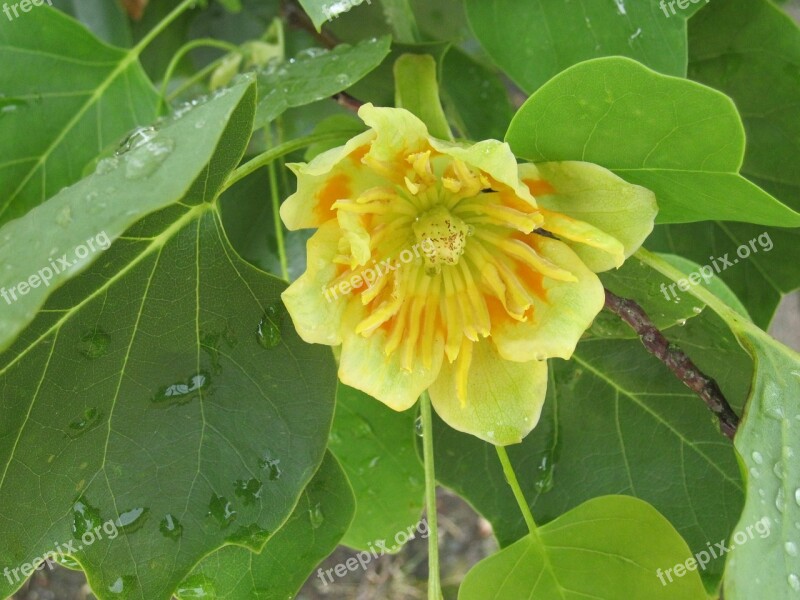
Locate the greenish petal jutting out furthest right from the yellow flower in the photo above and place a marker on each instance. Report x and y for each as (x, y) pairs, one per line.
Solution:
(596, 196)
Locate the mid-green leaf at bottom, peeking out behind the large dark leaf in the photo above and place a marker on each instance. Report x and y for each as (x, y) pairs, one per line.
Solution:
(312, 532)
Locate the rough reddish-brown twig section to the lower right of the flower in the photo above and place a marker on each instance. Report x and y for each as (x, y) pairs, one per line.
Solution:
(676, 361)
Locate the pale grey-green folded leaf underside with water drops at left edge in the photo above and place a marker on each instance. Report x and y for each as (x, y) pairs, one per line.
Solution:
(125, 188)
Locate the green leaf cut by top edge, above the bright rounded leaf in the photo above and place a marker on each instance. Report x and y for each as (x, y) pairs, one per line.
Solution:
(535, 40)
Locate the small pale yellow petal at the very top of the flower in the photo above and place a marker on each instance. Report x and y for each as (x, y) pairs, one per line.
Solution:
(397, 131)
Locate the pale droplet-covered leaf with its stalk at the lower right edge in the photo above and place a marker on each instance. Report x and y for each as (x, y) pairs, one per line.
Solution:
(764, 560)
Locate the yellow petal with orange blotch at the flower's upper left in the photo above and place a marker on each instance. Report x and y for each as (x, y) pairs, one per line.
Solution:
(333, 175)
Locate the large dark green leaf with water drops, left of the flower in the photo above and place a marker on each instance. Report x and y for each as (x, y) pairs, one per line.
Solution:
(163, 389)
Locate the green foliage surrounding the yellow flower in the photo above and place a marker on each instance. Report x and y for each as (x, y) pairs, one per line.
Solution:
(152, 380)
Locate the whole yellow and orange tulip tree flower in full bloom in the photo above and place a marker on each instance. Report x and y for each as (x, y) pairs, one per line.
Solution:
(449, 267)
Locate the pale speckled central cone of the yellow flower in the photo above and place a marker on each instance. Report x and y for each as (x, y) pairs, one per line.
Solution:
(443, 236)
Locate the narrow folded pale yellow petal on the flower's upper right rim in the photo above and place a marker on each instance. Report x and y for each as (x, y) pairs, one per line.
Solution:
(492, 157)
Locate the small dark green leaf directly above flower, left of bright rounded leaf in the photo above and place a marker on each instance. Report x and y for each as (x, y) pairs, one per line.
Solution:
(475, 97)
